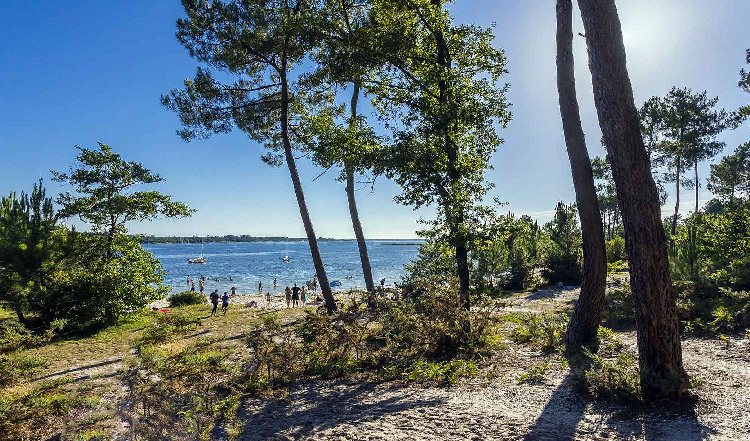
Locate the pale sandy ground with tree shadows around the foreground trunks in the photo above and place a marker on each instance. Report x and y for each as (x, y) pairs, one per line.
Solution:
(505, 410)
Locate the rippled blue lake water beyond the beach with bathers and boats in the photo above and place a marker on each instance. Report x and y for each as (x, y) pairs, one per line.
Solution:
(247, 263)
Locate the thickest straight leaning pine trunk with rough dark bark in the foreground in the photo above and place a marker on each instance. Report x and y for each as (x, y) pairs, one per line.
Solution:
(659, 349)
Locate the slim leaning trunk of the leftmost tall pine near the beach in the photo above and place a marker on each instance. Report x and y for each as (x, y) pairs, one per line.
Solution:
(320, 270)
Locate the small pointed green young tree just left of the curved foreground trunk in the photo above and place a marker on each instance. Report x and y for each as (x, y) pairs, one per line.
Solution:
(563, 263)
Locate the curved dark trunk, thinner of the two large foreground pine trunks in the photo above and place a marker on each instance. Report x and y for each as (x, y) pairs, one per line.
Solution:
(587, 315)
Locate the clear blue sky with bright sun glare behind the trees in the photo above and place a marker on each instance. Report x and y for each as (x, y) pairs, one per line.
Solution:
(87, 71)
